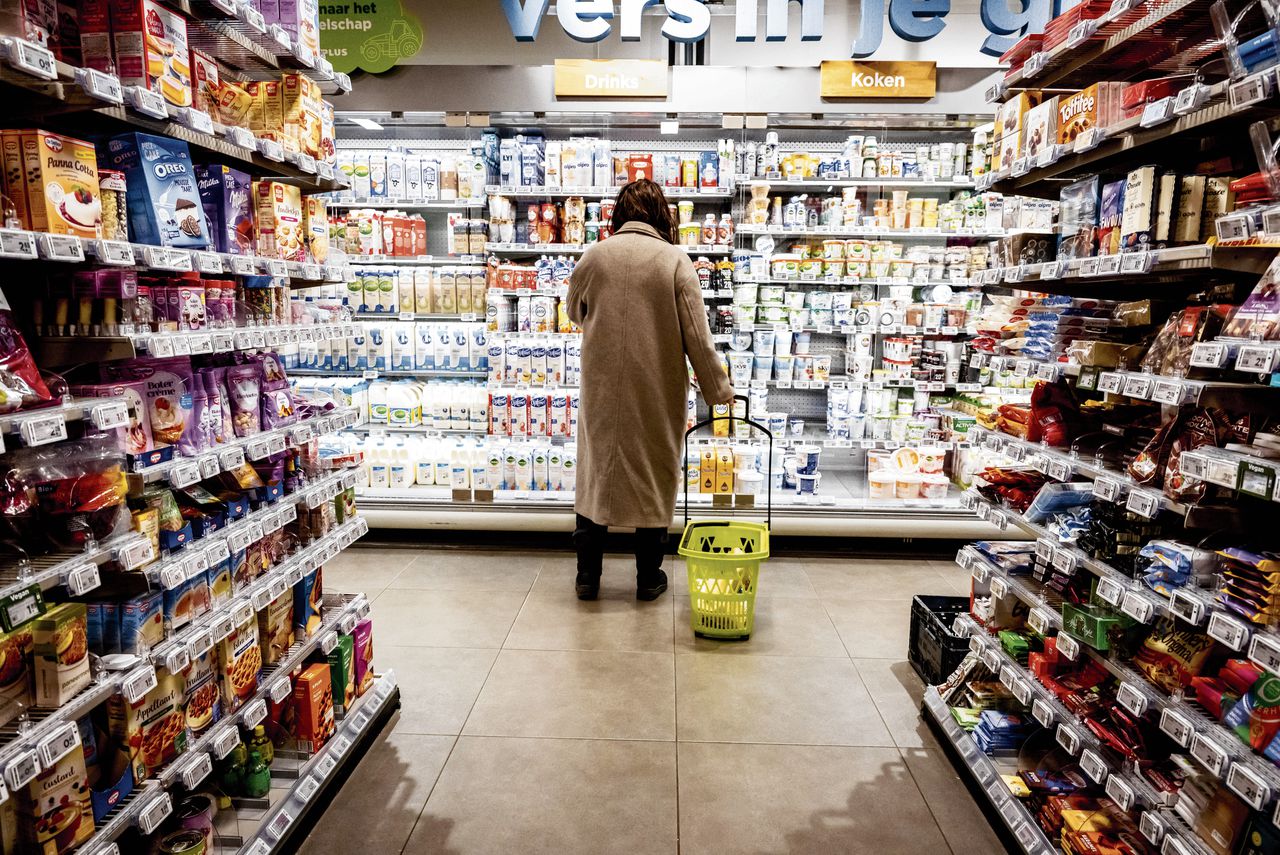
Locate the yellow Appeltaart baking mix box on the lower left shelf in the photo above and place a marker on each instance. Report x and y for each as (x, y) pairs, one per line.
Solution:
(156, 729)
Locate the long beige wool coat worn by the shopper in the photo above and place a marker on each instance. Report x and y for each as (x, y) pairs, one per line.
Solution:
(638, 301)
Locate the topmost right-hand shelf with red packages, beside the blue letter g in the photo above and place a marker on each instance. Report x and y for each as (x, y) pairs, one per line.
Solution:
(1148, 40)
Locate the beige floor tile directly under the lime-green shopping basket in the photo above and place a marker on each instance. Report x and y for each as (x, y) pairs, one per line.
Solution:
(783, 628)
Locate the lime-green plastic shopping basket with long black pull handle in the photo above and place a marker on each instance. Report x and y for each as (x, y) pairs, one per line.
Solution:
(724, 561)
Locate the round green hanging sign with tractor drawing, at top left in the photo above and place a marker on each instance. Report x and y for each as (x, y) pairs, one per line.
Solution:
(373, 35)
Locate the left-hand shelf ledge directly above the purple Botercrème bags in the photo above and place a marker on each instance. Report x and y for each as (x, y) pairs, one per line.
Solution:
(75, 350)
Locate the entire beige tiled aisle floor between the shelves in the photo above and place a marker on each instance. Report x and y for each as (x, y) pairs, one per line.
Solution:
(538, 724)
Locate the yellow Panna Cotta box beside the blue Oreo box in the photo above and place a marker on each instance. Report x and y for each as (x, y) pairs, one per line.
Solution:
(62, 190)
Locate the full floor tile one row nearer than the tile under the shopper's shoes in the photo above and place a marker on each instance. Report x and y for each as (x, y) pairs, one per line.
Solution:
(578, 696)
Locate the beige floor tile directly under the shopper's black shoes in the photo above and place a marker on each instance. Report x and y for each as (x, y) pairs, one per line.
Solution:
(560, 621)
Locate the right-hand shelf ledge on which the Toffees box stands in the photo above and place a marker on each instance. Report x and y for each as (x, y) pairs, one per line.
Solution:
(1127, 140)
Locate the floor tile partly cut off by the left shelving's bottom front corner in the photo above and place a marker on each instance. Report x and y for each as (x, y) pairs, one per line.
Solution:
(440, 685)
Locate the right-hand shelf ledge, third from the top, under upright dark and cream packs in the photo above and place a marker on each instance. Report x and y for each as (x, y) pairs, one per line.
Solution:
(1172, 264)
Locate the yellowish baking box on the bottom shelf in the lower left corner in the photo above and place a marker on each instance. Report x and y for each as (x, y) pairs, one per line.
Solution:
(54, 811)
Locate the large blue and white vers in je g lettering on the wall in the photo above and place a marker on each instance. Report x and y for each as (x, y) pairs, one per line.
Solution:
(689, 21)
